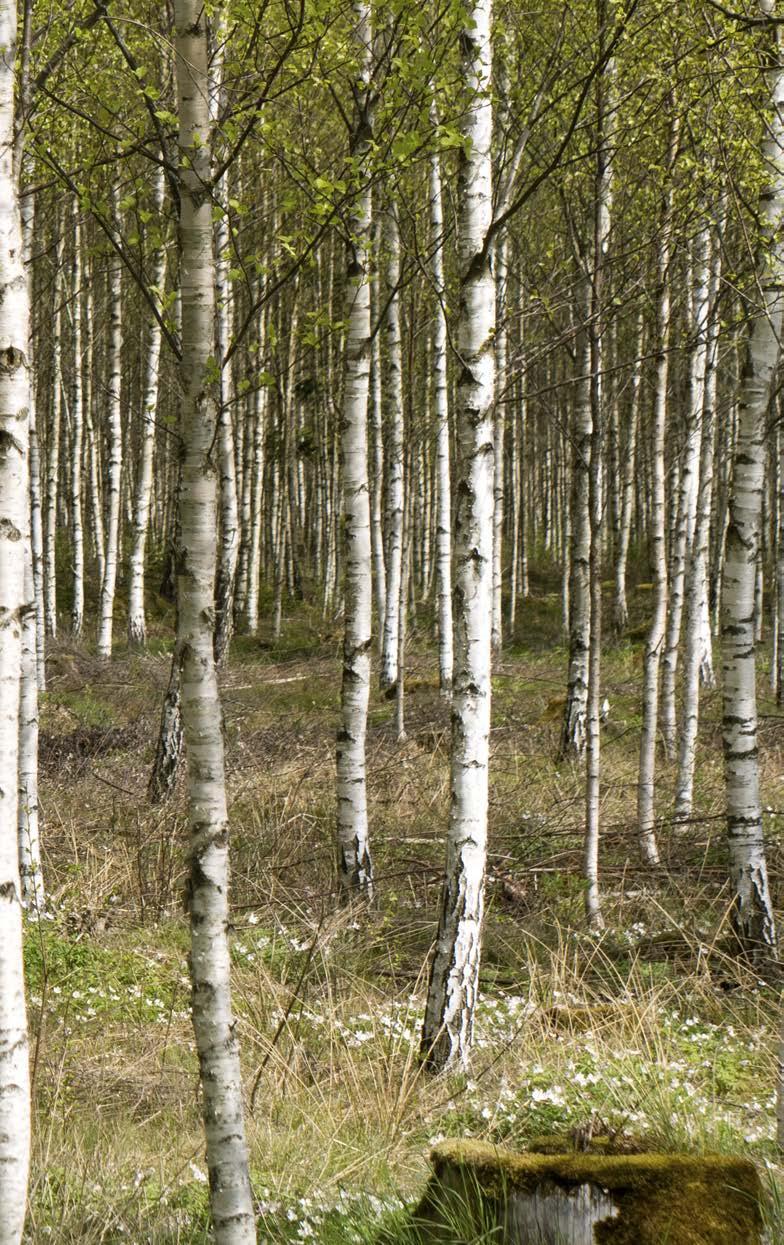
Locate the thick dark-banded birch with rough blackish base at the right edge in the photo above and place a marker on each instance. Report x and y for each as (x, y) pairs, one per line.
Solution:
(754, 914)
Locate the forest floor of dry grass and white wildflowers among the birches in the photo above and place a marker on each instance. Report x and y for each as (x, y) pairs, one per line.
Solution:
(651, 1031)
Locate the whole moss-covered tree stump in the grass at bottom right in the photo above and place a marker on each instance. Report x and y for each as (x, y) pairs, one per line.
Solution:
(482, 1193)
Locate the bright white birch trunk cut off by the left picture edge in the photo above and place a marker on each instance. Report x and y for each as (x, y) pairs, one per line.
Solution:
(14, 607)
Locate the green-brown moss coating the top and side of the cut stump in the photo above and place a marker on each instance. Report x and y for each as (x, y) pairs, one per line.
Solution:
(661, 1198)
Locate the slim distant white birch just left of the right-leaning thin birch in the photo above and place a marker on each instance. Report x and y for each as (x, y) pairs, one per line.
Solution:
(114, 399)
